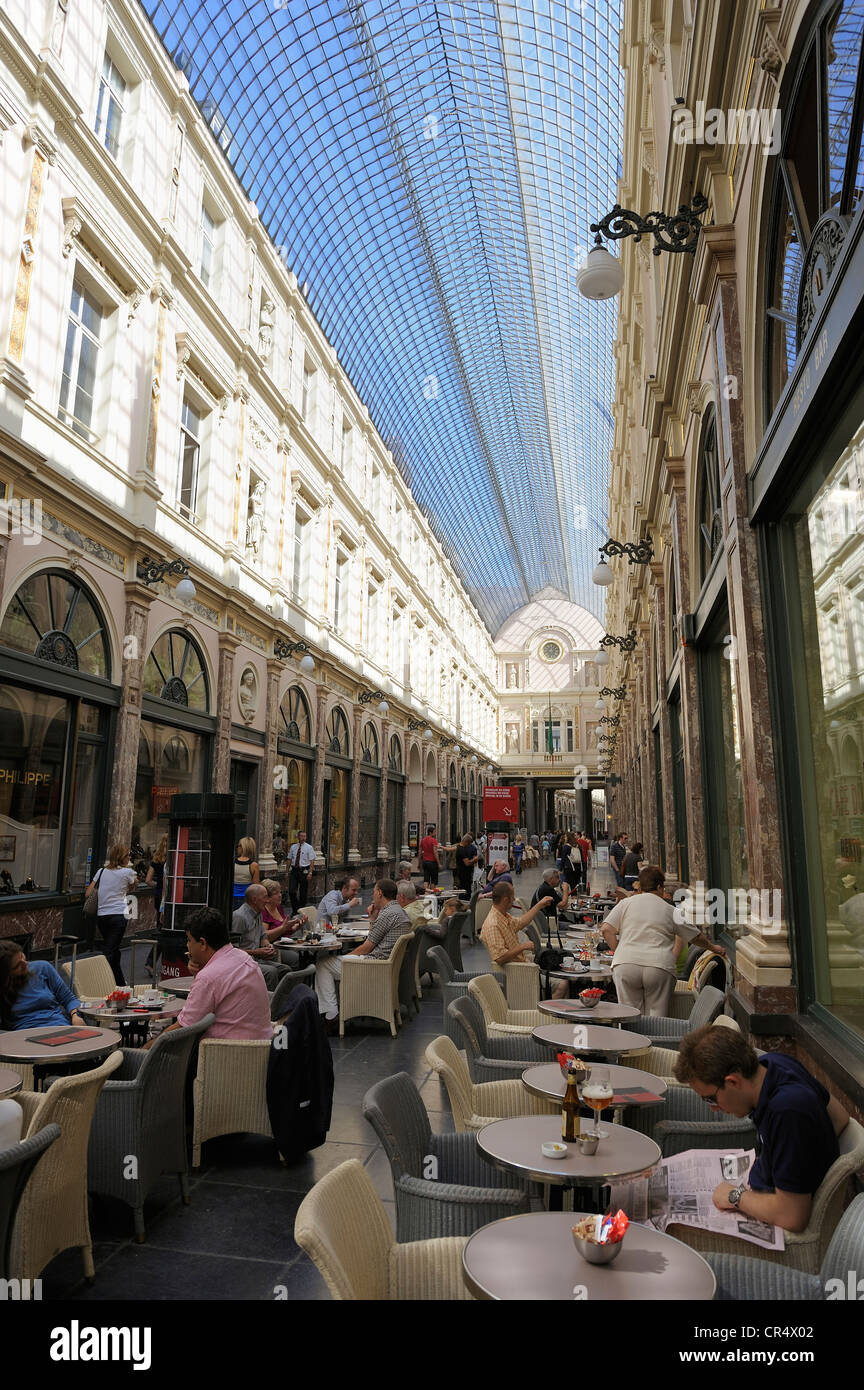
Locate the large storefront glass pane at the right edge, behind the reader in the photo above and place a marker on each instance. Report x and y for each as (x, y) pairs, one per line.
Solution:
(831, 561)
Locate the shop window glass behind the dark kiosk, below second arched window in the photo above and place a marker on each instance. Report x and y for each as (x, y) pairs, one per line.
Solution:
(170, 761)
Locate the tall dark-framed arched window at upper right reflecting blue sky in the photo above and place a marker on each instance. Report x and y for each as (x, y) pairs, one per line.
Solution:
(819, 186)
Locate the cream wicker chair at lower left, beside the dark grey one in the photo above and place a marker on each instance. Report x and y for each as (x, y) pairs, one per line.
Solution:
(53, 1211)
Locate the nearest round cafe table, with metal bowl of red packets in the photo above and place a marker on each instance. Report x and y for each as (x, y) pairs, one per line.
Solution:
(534, 1259)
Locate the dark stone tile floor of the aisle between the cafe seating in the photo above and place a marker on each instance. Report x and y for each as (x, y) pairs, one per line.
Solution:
(235, 1241)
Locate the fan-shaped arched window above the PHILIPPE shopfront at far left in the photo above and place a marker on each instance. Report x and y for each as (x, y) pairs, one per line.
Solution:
(55, 619)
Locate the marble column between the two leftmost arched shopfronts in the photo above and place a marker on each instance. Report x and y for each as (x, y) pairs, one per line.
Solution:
(128, 718)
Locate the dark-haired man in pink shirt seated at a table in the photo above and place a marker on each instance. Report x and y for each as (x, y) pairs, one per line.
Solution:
(229, 983)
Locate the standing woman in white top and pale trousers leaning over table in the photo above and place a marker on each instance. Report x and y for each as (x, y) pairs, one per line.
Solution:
(642, 933)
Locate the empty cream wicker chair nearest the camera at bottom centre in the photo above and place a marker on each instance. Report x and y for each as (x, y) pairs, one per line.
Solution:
(344, 1228)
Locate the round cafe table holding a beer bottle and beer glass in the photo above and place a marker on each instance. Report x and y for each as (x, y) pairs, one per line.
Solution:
(516, 1146)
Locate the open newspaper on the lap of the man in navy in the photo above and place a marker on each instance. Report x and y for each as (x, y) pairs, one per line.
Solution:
(679, 1193)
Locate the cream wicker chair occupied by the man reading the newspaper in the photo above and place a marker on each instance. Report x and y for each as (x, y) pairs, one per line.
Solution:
(805, 1250)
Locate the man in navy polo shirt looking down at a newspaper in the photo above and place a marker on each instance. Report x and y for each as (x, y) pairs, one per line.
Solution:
(798, 1122)
